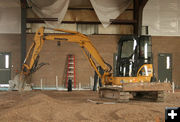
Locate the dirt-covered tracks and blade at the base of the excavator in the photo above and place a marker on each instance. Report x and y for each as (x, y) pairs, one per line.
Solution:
(139, 91)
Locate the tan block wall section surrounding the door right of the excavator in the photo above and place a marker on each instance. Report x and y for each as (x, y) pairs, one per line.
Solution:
(167, 44)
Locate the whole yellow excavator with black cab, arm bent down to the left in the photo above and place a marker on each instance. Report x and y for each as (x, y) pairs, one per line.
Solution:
(134, 69)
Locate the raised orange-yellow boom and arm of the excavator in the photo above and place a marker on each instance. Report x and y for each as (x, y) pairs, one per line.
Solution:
(31, 60)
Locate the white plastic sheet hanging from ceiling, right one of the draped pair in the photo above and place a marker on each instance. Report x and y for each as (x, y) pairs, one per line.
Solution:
(109, 9)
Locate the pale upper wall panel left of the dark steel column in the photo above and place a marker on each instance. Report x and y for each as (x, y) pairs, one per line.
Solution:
(10, 16)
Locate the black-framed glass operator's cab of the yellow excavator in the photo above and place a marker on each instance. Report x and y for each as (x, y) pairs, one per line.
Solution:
(133, 53)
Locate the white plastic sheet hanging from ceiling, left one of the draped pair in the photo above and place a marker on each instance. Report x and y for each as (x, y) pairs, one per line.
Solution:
(50, 9)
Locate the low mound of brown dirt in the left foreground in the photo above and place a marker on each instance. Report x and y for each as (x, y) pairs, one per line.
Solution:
(40, 108)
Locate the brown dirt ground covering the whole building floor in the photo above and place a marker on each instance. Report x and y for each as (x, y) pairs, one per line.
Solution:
(55, 106)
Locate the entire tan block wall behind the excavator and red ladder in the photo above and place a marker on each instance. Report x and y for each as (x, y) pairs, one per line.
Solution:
(105, 44)
